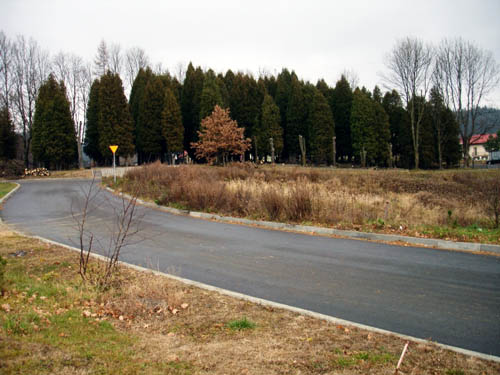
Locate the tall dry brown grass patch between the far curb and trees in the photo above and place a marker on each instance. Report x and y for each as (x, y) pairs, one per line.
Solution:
(415, 203)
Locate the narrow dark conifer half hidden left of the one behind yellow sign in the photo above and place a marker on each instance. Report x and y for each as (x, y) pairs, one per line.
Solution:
(91, 141)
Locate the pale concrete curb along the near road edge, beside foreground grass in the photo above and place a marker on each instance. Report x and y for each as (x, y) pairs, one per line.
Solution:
(276, 305)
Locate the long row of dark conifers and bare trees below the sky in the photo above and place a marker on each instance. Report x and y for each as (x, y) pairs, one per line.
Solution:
(417, 123)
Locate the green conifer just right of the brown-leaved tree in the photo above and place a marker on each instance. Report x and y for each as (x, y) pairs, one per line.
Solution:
(269, 127)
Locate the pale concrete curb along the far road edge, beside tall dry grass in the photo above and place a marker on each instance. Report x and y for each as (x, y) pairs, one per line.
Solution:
(416, 241)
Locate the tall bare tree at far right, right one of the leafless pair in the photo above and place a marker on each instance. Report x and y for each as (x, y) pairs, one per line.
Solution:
(465, 75)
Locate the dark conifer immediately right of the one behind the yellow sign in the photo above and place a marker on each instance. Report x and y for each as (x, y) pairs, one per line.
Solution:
(150, 141)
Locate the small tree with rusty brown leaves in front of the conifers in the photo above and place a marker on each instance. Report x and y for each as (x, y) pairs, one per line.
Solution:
(220, 137)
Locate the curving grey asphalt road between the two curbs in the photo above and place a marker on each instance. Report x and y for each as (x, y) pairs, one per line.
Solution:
(449, 297)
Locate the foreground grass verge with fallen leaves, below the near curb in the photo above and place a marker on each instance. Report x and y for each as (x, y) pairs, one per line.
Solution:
(152, 325)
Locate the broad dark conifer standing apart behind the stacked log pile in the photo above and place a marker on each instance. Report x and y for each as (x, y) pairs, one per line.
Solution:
(54, 140)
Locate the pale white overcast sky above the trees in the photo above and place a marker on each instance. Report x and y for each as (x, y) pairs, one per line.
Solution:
(317, 39)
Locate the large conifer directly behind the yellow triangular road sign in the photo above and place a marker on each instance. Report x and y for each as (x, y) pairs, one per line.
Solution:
(115, 124)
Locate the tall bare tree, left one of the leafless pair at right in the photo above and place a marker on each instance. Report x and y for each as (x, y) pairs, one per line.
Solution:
(410, 71)
